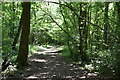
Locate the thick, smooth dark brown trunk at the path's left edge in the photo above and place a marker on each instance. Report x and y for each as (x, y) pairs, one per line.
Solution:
(23, 49)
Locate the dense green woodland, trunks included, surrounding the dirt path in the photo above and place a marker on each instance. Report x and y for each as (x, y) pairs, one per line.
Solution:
(88, 33)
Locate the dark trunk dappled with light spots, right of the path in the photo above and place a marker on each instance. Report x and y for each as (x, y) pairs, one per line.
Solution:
(83, 32)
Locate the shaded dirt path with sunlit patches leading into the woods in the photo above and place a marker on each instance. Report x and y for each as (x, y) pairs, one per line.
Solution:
(47, 64)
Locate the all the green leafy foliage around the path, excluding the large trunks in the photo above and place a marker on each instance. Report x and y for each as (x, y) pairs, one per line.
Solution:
(58, 24)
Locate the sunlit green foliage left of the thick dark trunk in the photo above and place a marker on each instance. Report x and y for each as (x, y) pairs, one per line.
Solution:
(10, 22)
